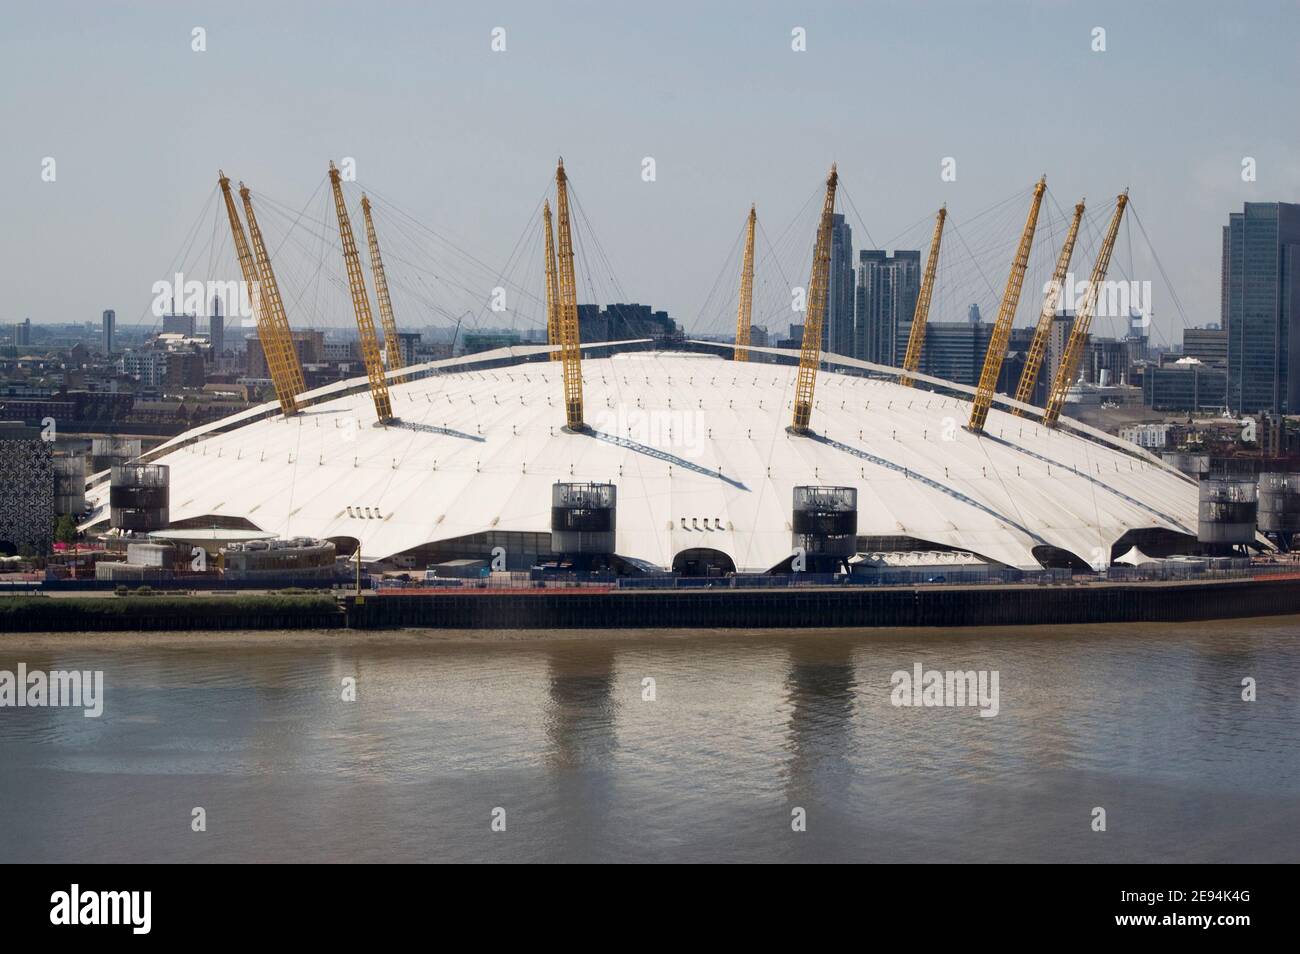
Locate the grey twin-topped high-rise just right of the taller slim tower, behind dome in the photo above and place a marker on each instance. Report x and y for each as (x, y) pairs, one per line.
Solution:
(886, 301)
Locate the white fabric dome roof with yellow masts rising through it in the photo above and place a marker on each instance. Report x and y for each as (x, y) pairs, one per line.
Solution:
(700, 450)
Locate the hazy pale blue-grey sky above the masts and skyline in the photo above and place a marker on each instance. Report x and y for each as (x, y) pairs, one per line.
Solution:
(466, 137)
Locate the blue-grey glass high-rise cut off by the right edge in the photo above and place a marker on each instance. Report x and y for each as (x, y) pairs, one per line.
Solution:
(1262, 307)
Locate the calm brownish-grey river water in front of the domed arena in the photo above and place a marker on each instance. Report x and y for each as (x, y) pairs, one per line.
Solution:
(553, 735)
